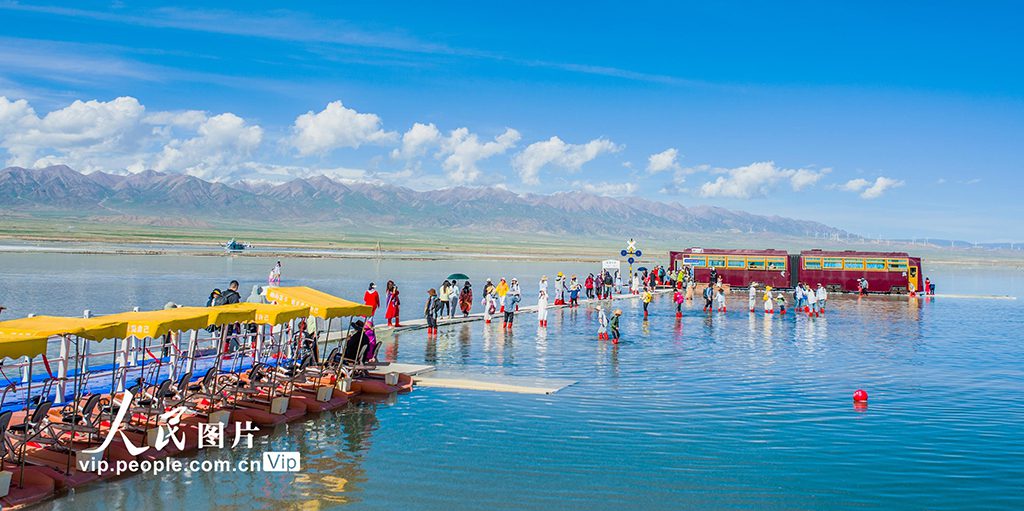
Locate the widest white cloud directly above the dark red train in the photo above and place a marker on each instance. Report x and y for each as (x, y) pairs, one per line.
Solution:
(758, 180)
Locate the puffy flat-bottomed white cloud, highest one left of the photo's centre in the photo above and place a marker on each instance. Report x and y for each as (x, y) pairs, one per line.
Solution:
(335, 127)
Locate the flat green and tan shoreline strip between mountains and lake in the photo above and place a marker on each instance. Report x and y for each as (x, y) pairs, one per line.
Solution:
(157, 241)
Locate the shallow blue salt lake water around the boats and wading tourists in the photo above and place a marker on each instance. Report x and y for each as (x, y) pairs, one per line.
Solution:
(707, 412)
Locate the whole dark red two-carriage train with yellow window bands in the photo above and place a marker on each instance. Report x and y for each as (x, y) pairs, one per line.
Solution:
(838, 271)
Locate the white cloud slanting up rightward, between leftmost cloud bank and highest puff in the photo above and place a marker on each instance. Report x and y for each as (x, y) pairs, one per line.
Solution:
(221, 142)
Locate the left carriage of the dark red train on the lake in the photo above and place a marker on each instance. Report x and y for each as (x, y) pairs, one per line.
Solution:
(737, 268)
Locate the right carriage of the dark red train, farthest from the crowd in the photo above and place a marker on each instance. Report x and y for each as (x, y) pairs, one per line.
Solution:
(886, 272)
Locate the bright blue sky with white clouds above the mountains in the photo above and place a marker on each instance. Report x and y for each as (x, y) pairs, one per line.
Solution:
(903, 121)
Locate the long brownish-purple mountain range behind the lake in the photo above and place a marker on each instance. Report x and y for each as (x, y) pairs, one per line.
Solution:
(150, 195)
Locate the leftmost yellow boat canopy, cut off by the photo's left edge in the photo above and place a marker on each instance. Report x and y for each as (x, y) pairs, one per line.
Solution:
(28, 336)
